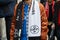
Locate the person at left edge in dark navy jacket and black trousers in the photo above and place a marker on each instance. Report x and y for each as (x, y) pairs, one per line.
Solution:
(6, 11)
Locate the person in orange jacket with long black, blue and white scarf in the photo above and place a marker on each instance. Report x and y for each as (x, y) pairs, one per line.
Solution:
(33, 22)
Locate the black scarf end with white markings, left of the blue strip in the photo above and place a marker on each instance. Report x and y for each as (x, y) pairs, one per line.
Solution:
(18, 26)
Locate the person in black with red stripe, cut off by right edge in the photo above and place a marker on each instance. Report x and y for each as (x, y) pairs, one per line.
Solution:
(56, 19)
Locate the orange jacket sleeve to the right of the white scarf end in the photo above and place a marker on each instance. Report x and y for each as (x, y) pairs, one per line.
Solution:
(44, 23)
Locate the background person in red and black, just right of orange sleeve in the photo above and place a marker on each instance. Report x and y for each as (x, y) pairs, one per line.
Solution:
(49, 8)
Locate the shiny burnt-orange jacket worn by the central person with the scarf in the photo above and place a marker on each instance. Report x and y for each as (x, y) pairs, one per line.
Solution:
(44, 23)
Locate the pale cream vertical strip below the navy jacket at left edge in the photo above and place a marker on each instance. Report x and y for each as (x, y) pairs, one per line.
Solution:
(3, 29)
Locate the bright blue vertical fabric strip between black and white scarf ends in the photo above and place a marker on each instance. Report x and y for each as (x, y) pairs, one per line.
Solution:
(24, 32)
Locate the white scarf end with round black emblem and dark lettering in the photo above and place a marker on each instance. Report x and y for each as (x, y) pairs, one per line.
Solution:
(34, 24)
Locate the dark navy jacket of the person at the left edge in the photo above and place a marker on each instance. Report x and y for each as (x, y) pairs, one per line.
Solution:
(7, 10)
